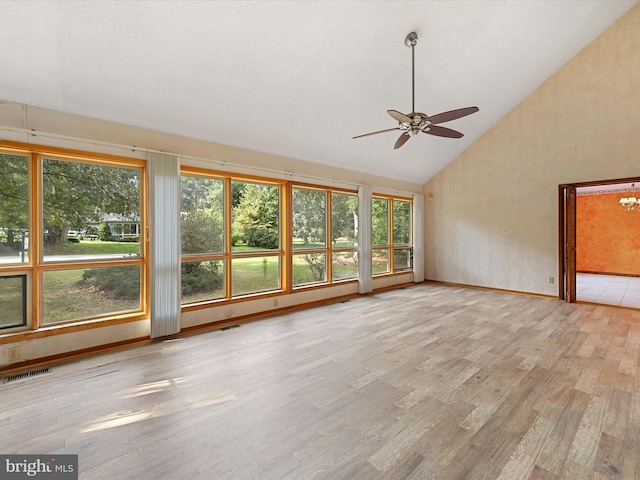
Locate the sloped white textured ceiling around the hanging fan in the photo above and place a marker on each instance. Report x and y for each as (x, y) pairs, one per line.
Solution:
(298, 79)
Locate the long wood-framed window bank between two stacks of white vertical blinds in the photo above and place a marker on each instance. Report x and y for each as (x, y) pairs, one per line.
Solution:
(232, 236)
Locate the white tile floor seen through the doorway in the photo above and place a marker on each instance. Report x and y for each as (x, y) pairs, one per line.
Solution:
(608, 289)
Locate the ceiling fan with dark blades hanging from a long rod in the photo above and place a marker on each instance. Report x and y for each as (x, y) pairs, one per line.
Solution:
(411, 124)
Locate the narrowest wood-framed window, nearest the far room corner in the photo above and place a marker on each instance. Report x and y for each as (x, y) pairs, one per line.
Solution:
(391, 236)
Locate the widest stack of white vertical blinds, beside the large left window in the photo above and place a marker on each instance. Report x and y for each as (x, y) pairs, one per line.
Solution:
(164, 261)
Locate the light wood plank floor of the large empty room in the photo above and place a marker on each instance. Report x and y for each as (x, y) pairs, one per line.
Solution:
(426, 382)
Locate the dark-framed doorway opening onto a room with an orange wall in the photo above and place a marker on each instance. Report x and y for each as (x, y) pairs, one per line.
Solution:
(599, 242)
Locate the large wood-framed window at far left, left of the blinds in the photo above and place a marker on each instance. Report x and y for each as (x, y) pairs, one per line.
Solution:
(79, 267)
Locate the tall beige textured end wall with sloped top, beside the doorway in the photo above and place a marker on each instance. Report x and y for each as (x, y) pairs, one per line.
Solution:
(492, 220)
